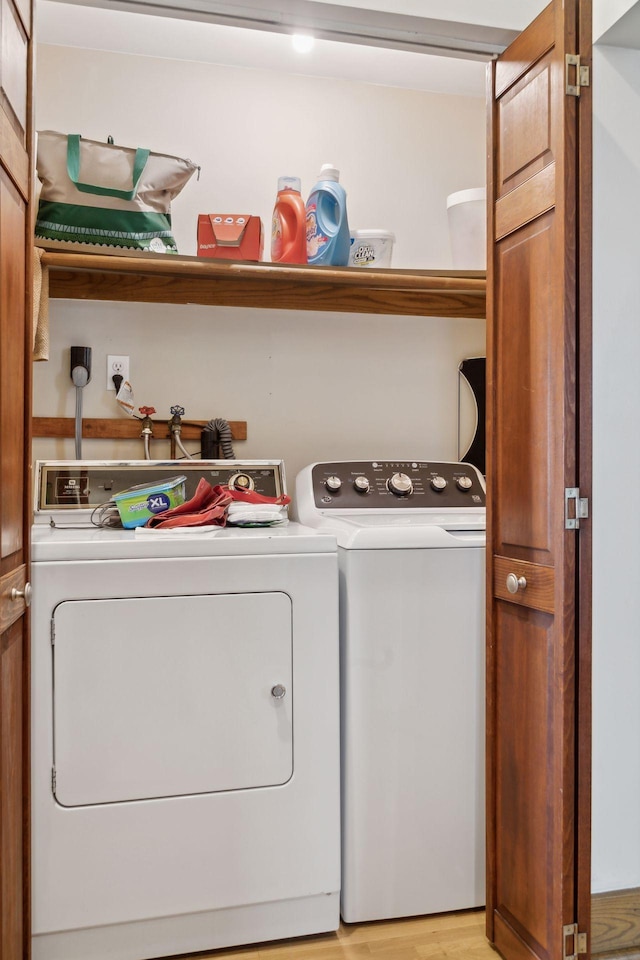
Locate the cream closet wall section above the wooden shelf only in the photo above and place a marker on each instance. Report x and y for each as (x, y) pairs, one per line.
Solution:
(400, 152)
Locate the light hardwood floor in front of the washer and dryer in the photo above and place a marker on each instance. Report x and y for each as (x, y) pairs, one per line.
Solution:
(455, 936)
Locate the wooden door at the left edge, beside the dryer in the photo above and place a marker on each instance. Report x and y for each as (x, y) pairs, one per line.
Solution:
(15, 390)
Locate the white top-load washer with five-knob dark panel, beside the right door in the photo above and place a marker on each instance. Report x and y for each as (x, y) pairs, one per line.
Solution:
(411, 547)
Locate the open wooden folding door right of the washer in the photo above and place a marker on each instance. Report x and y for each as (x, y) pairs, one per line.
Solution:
(538, 378)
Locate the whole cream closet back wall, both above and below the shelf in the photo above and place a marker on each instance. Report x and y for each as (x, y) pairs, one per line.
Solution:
(310, 385)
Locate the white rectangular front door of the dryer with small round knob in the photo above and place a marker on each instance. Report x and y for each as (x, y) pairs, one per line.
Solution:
(167, 696)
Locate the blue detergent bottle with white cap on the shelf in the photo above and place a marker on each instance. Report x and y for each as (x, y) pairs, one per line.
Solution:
(328, 240)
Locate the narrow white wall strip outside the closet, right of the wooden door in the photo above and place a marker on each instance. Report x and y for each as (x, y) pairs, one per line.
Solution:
(616, 465)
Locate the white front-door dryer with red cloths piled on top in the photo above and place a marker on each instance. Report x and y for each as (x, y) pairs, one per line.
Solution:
(185, 730)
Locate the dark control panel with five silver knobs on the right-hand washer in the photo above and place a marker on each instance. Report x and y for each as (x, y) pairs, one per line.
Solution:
(396, 484)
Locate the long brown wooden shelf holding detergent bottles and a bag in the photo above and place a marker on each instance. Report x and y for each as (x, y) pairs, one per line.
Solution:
(158, 278)
